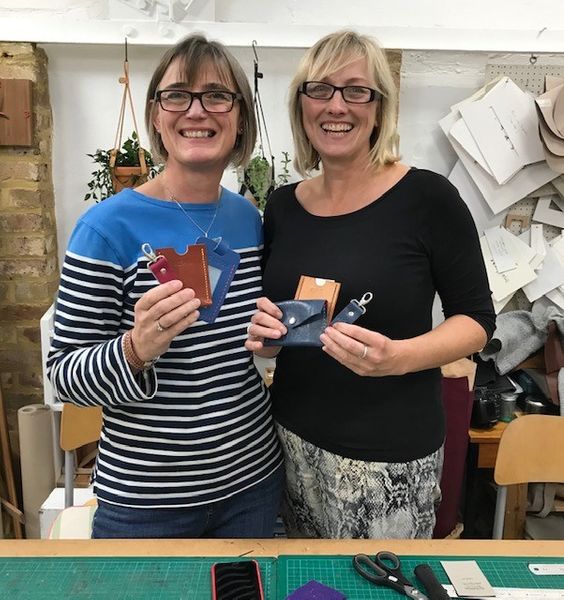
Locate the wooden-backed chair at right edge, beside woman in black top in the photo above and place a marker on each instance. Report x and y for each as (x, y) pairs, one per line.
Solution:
(531, 450)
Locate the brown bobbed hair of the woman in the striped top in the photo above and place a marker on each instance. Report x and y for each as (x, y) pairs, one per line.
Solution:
(196, 54)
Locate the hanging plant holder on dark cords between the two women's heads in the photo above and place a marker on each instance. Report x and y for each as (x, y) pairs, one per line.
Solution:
(265, 165)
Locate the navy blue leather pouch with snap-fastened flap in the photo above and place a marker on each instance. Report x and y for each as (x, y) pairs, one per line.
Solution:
(305, 321)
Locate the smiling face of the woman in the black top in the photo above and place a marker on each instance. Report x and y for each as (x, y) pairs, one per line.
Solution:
(338, 130)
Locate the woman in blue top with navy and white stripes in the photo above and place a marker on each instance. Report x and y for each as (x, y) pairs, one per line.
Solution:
(188, 447)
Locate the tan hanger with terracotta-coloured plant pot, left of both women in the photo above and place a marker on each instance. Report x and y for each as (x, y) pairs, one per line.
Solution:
(127, 176)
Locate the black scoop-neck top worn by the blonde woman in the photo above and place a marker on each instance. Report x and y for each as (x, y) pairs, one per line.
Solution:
(416, 240)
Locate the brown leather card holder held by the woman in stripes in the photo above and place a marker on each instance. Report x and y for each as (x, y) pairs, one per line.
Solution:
(191, 268)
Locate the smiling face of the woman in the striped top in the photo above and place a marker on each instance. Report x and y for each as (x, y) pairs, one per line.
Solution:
(196, 138)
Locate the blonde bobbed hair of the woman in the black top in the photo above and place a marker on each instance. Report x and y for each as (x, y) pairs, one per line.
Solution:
(328, 55)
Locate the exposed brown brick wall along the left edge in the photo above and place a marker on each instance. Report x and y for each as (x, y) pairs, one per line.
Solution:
(28, 243)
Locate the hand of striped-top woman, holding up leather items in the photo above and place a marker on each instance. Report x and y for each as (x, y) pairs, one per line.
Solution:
(160, 315)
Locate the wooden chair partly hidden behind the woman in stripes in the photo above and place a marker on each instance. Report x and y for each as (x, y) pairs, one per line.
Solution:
(79, 426)
